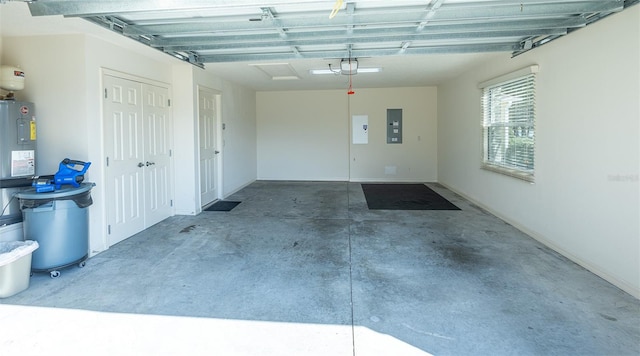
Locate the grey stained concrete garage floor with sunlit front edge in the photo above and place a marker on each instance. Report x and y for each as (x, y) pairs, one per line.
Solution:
(304, 268)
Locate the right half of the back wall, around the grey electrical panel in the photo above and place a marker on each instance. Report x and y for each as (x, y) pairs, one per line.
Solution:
(415, 159)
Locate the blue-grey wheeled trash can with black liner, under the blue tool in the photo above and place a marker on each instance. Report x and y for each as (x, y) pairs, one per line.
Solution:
(59, 222)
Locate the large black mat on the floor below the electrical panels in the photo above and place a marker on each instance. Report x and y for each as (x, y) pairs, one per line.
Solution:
(404, 197)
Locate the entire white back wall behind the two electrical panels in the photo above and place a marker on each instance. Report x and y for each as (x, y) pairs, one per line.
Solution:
(306, 135)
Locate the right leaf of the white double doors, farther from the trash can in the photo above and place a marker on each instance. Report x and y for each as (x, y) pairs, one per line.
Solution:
(157, 154)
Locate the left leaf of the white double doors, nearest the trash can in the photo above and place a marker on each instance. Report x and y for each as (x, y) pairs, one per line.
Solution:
(124, 150)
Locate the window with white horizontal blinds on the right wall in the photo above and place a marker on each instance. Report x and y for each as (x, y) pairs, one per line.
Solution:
(509, 126)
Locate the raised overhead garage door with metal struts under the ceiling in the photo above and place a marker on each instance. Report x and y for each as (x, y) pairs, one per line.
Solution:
(207, 31)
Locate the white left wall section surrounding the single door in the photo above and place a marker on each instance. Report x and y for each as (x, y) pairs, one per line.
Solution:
(238, 148)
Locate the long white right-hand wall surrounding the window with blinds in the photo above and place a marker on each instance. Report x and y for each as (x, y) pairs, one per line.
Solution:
(585, 201)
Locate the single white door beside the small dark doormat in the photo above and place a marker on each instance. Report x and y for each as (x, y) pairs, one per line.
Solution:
(208, 121)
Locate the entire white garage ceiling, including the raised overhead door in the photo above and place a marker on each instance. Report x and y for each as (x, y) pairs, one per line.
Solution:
(258, 42)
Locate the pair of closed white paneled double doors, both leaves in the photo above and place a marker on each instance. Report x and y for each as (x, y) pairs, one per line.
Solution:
(137, 121)
